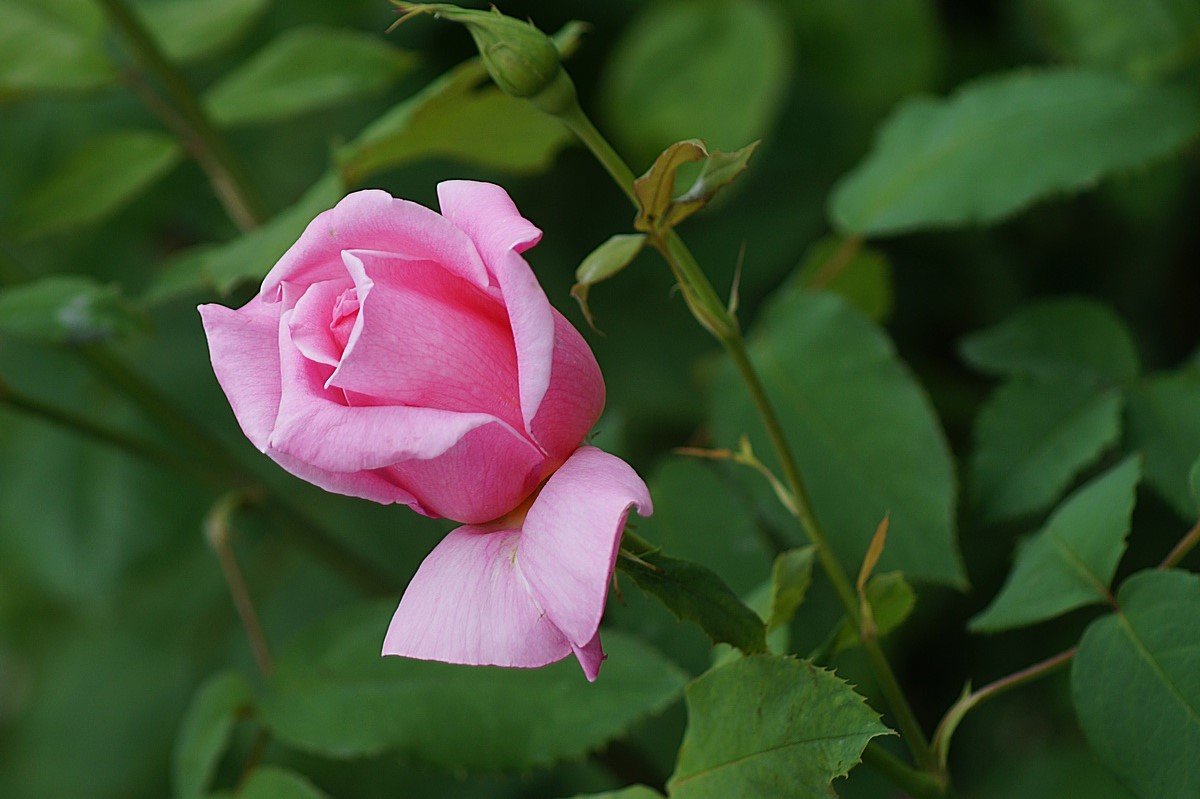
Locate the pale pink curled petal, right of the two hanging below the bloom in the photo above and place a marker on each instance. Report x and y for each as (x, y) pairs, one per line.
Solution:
(572, 534)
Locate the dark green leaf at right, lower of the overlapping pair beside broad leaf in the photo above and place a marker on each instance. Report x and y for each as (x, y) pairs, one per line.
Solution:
(1034, 437)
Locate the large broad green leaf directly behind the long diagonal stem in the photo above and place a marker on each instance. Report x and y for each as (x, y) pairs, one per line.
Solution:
(863, 431)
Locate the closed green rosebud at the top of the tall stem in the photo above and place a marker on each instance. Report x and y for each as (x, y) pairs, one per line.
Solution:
(521, 59)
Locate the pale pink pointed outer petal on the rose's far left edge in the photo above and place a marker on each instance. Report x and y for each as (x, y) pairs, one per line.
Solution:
(244, 346)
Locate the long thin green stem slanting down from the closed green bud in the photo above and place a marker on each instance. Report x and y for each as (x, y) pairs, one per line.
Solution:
(710, 310)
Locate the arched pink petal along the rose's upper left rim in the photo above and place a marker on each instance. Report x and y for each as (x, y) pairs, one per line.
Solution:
(374, 220)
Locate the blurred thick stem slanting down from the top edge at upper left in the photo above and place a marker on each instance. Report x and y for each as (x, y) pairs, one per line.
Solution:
(200, 135)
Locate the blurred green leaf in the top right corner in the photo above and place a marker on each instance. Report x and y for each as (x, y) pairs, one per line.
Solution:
(1148, 39)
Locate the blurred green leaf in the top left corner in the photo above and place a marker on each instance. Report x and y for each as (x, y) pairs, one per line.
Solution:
(52, 46)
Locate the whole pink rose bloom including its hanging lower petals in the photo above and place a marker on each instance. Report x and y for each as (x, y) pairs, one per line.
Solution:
(409, 357)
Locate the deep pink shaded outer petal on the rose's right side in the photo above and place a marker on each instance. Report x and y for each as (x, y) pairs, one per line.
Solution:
(575, 398)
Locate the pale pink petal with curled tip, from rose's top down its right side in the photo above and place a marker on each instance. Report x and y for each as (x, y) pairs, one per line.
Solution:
(488, 215)
